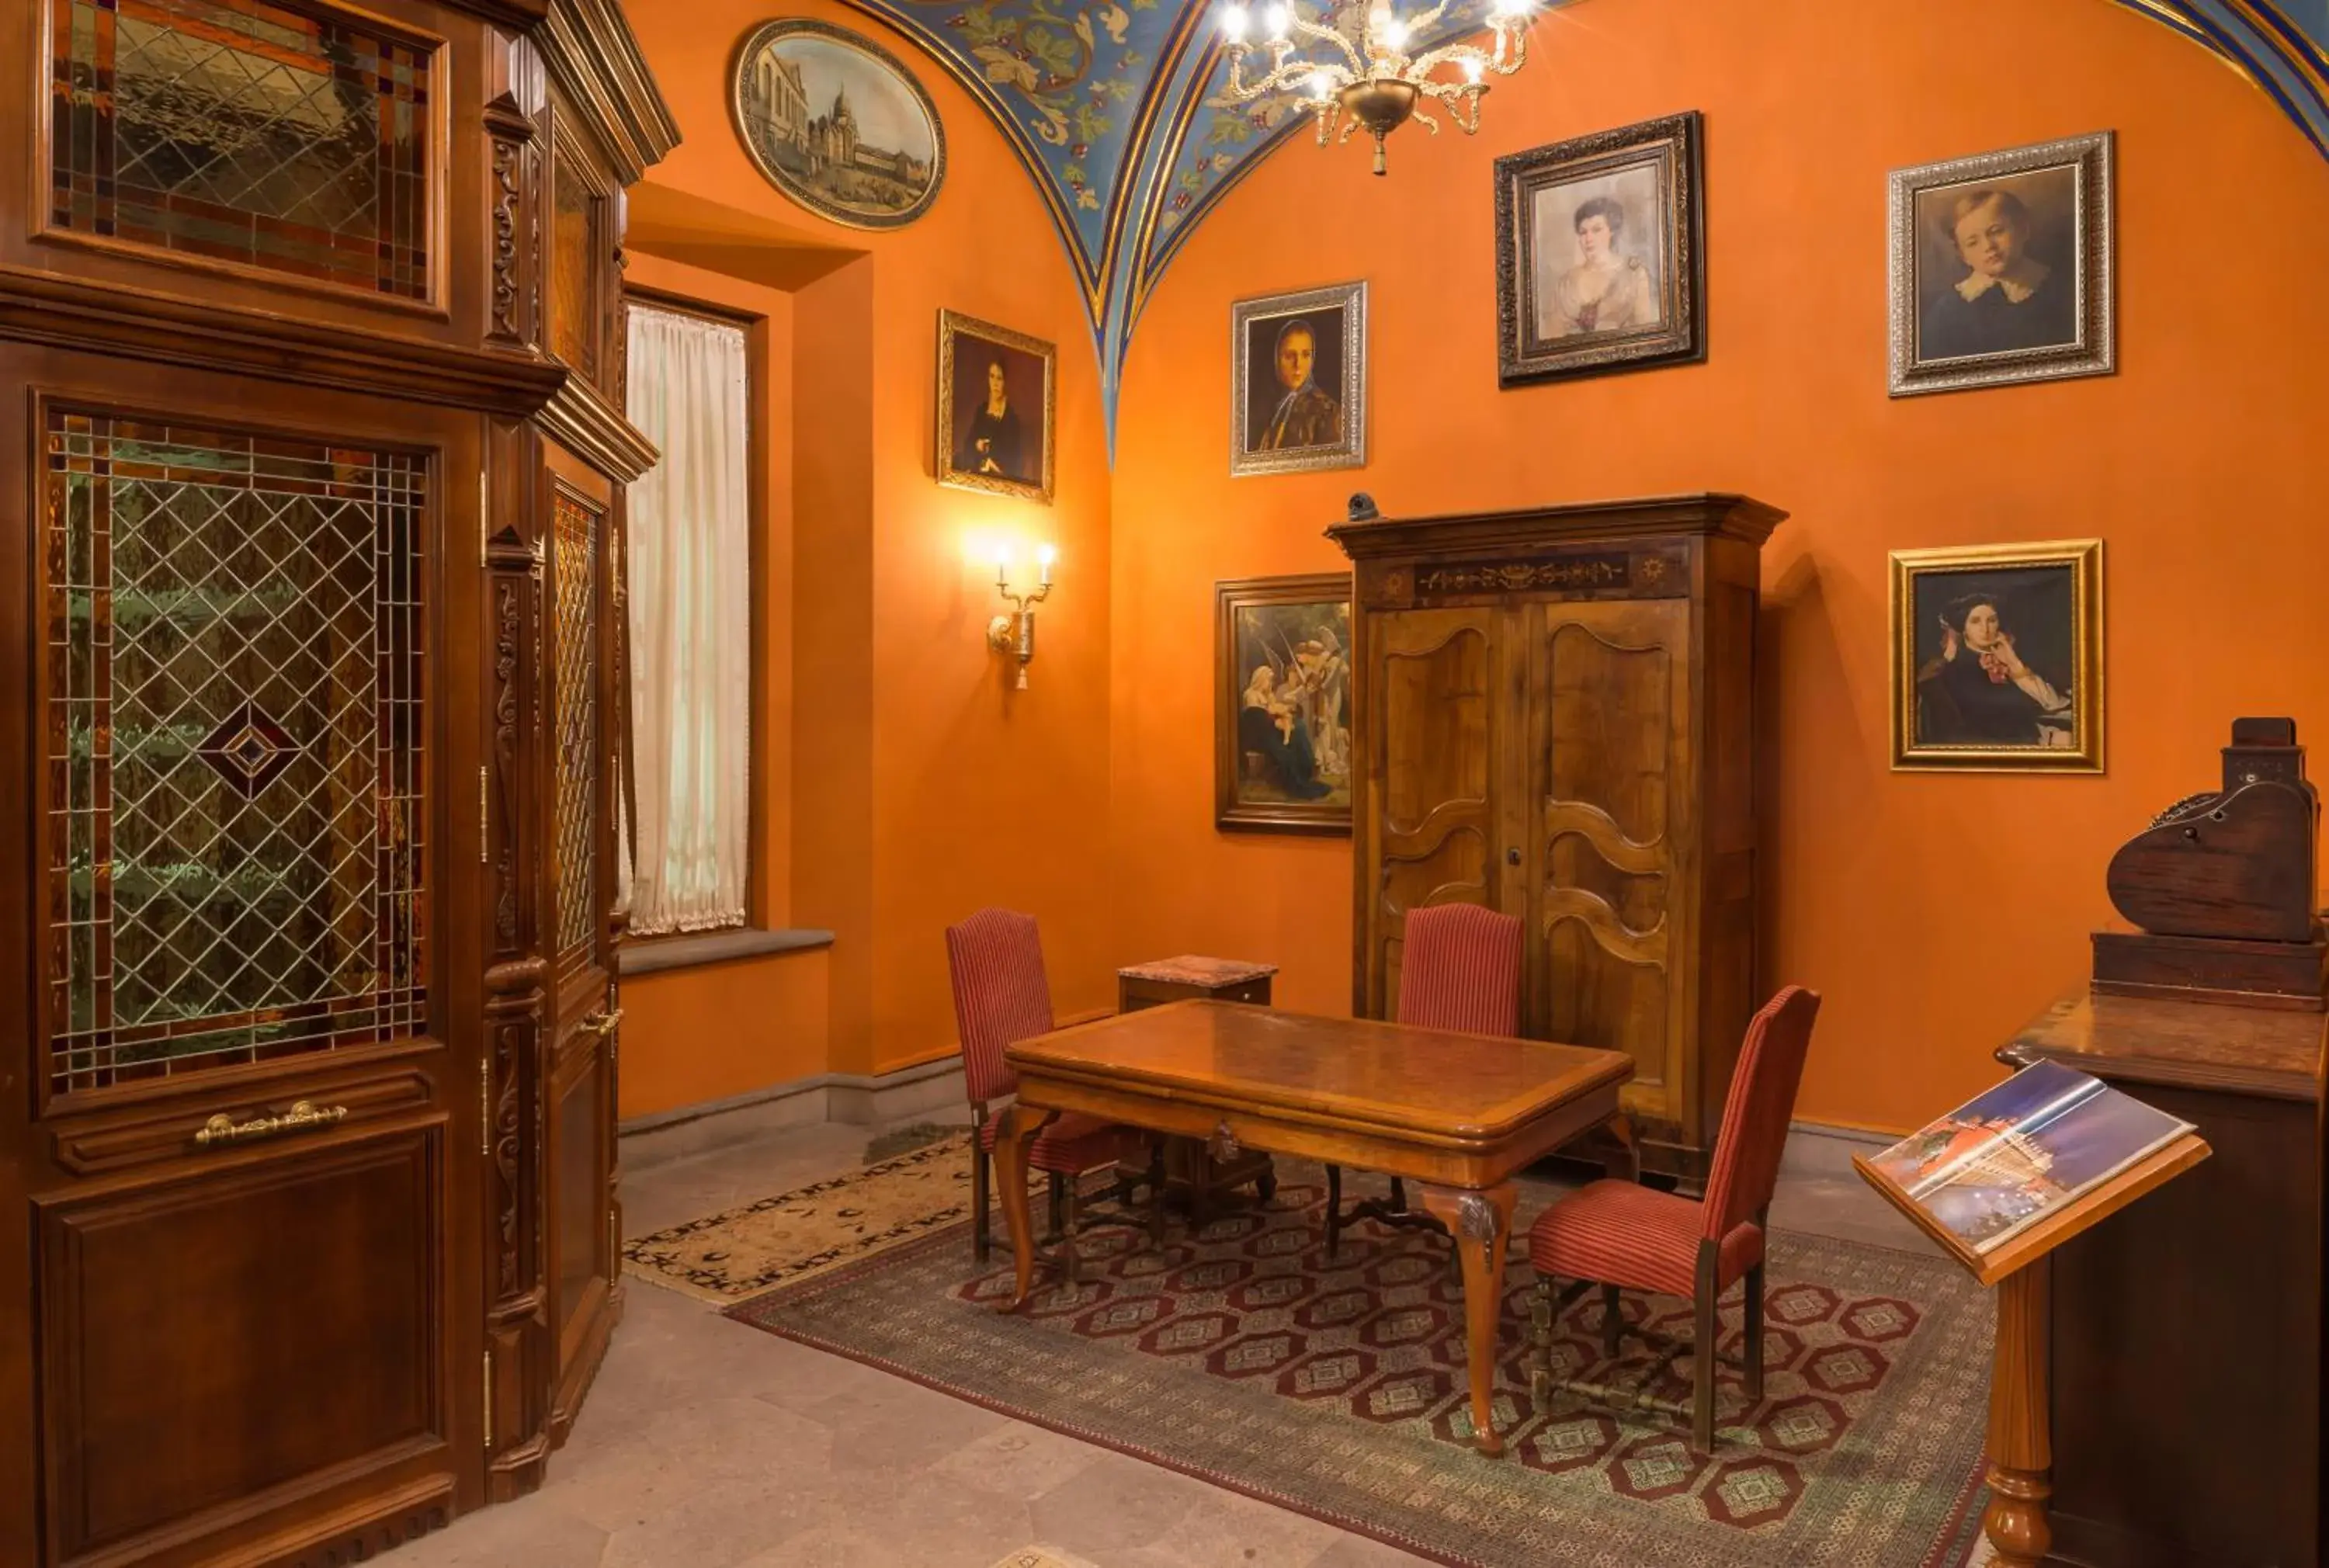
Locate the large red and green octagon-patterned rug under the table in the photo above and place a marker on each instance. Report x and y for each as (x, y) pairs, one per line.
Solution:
(1336, 1390)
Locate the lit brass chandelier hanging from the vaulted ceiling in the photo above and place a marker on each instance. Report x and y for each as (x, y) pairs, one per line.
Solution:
(1368, 80)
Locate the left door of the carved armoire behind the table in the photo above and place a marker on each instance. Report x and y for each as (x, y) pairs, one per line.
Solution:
(1438, 700)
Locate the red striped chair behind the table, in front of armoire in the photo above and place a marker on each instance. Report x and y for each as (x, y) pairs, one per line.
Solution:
(1459, 970)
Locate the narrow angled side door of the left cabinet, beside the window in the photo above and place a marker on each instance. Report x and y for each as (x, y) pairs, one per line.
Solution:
(579, 1157)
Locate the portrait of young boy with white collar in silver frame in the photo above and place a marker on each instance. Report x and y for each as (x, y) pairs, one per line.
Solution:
(2002, 269)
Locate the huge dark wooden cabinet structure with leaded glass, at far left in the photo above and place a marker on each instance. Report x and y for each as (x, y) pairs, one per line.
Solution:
(313, 488)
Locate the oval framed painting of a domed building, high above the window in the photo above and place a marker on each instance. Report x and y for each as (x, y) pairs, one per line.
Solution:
(788, 129)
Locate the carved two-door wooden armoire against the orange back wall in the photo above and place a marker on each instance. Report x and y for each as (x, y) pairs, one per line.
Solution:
(1555, 714)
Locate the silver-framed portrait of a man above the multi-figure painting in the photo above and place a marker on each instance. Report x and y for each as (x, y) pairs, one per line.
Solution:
(1298, 381)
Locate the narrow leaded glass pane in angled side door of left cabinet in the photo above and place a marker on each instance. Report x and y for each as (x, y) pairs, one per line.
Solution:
(576, 577)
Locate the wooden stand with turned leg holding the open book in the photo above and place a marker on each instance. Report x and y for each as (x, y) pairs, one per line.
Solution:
(2020, 1432)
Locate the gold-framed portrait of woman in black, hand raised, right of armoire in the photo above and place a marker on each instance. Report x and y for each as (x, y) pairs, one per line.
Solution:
(1997, 658)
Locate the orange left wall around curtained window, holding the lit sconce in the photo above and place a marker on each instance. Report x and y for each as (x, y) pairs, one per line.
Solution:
(921, 789)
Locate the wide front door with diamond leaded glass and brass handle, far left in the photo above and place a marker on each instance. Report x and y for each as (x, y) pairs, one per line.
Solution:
(239, 866)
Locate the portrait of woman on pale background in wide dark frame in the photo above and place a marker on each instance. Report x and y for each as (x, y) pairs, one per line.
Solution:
(1599, 257)
